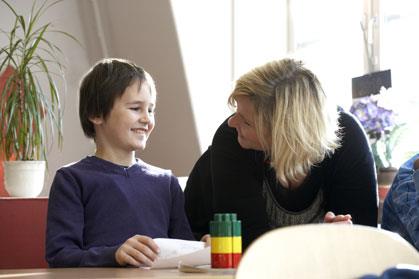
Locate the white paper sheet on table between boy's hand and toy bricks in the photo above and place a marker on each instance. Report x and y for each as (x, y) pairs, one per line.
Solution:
(173, 251)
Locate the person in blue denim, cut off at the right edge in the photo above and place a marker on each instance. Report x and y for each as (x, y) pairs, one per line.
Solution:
(401, 206)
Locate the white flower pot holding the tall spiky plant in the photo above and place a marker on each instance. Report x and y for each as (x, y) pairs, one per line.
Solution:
(24, 178)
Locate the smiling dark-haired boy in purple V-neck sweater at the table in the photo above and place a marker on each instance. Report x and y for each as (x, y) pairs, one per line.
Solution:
(105, 209)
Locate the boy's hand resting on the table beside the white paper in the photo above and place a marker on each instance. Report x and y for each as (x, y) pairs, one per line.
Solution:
(137, 250)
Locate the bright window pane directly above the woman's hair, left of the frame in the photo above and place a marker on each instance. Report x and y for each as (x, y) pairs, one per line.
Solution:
(327, 36)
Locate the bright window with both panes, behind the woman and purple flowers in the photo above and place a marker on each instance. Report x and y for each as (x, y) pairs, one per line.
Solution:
(327, 35)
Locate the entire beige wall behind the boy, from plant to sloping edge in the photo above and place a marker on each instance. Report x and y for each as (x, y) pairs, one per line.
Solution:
(143, 31)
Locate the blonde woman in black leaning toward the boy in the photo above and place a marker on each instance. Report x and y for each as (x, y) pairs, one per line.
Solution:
(284, 158)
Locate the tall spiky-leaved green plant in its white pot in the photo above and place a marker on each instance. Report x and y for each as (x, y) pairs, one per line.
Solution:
(30, 108)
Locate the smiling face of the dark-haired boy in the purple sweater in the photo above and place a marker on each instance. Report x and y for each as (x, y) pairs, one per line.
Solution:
(130, 121)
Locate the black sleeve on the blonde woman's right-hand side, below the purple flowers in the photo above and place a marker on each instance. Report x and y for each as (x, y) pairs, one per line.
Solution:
(351, 186)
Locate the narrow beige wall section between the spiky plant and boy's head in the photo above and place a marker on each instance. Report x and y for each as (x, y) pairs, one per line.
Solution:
(76, 145)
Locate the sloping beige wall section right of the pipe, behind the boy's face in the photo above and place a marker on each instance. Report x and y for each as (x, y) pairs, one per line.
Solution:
(144, 32)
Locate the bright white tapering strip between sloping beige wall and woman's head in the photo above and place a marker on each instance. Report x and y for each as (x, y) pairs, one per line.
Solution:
(204, 29)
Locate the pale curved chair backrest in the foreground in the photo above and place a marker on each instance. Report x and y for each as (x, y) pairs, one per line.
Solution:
(325, 251)
